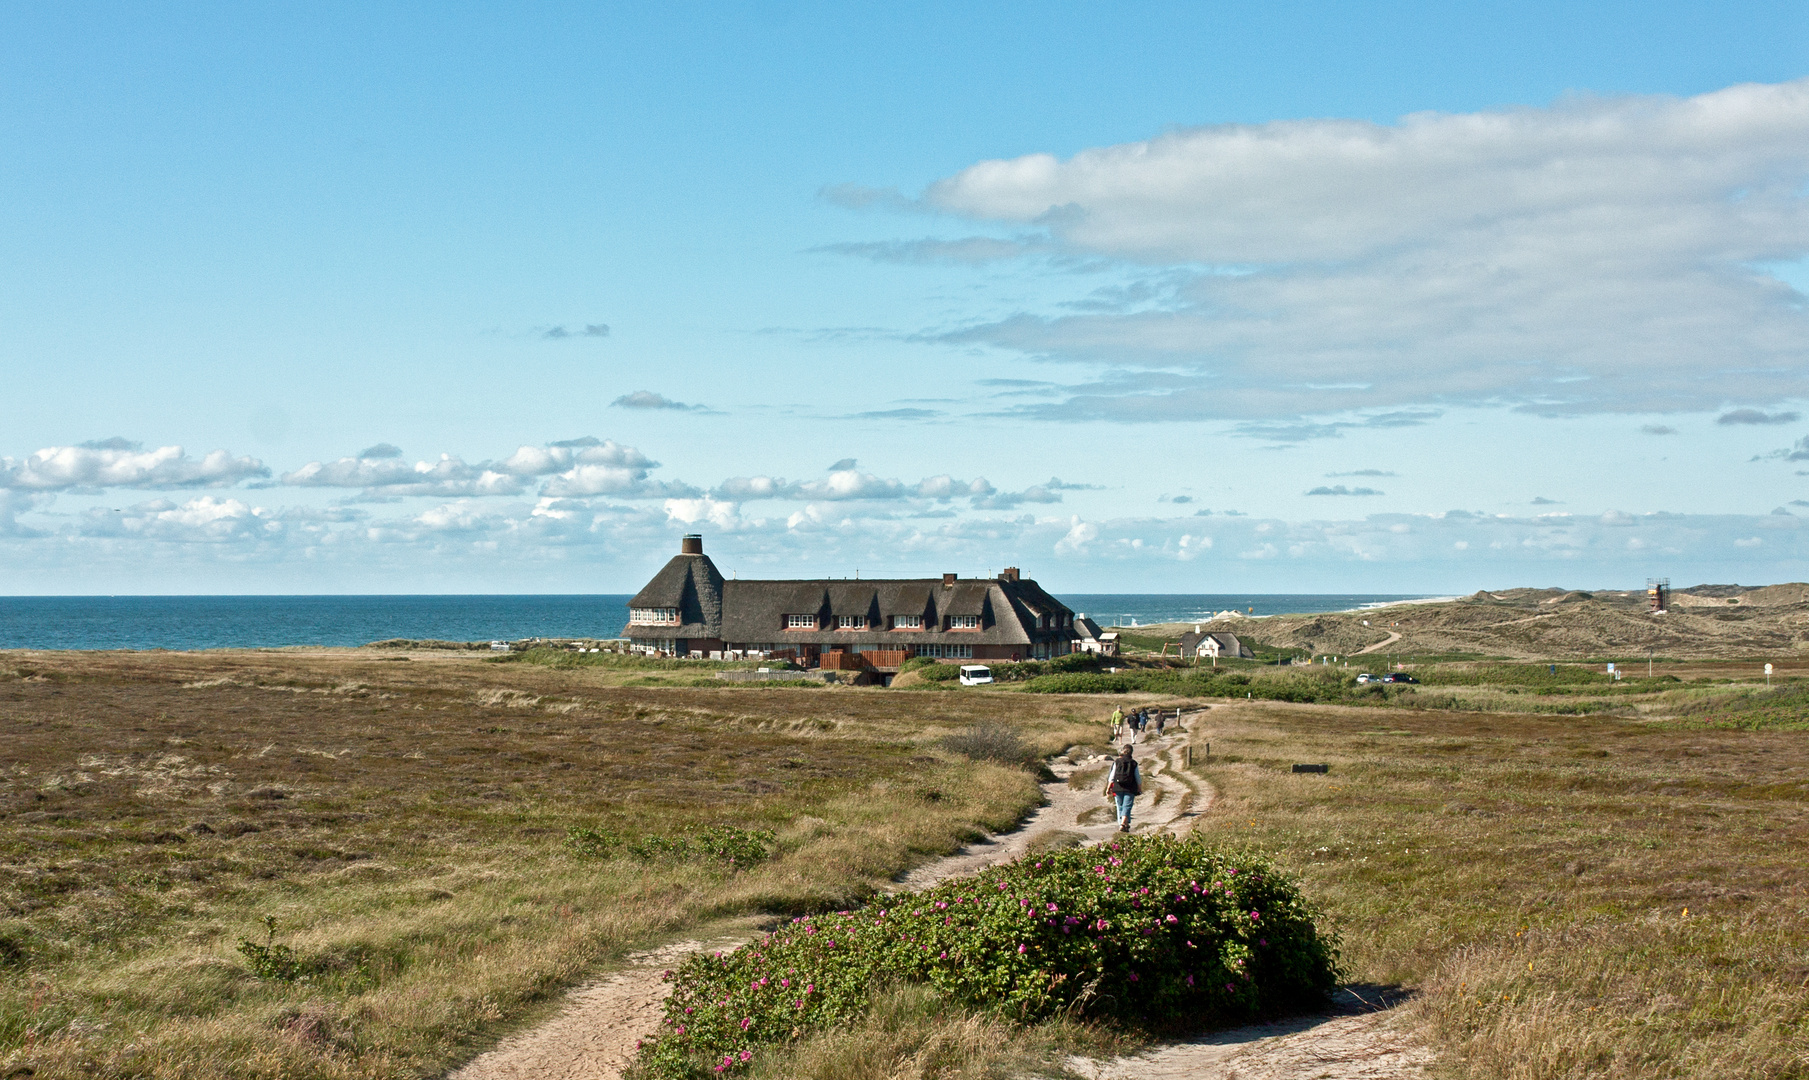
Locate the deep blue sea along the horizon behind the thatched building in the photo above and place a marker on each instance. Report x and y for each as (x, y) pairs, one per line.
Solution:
(218, 623)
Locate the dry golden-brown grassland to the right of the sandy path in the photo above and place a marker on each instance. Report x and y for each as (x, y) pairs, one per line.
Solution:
(1571, 896)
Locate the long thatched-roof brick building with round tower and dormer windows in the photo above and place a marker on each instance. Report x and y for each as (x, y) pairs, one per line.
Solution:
(690, 611)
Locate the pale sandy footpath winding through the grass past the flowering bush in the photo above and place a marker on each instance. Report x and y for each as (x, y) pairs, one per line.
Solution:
(594, 1036)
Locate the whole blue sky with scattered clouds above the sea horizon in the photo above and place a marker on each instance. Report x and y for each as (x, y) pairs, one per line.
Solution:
(1175, 299)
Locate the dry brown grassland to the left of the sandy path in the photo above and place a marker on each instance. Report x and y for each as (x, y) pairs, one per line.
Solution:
(404, 824)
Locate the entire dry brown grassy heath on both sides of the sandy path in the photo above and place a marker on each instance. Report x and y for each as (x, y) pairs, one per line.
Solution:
(404, 820)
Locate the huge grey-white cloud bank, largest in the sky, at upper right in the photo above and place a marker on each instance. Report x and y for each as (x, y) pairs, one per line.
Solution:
(1596, 256)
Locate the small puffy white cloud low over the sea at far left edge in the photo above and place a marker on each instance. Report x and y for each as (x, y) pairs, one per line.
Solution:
(122, 464)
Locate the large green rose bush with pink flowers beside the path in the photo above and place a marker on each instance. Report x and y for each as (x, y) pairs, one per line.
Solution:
(1155, 933)
